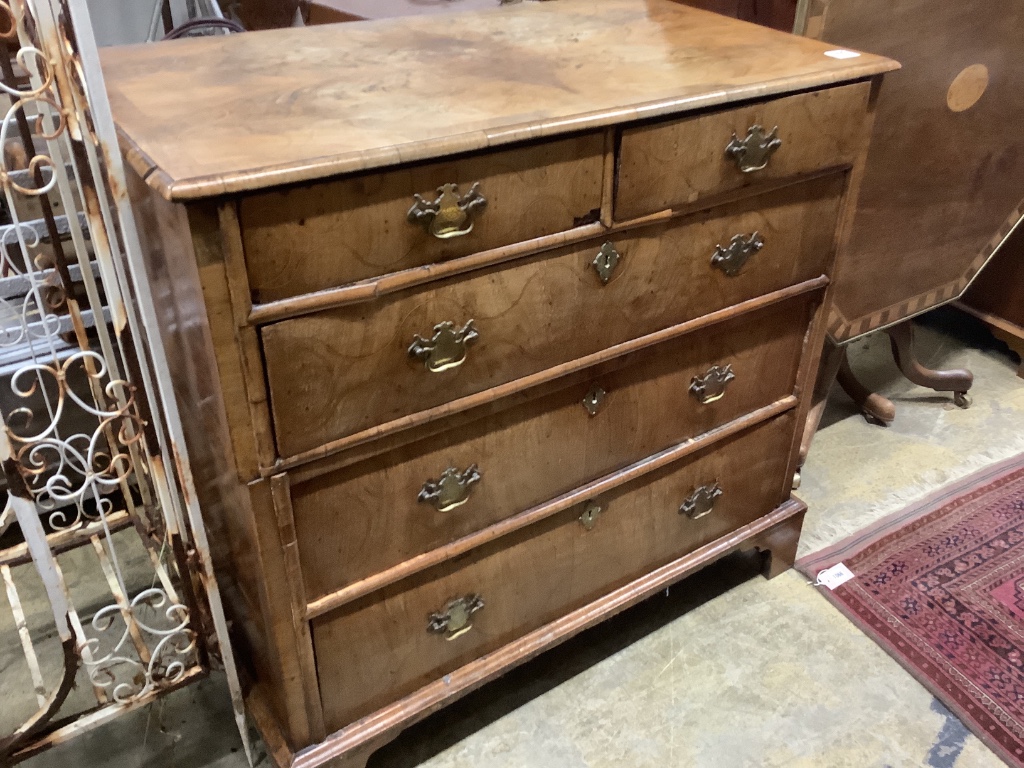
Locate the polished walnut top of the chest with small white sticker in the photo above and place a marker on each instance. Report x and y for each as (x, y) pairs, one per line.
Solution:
(212, 116)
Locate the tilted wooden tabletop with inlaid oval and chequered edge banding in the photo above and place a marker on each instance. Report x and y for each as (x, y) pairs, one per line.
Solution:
(943, 186)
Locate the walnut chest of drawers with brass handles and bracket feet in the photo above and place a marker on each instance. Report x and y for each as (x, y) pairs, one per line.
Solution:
(486, 326)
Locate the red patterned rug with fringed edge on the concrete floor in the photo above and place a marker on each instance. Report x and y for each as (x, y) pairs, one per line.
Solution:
(941, 586)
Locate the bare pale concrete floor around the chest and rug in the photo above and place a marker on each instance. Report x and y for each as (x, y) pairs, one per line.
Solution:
(727, 669)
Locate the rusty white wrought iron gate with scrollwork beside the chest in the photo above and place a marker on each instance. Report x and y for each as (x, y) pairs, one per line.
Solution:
(105, 566)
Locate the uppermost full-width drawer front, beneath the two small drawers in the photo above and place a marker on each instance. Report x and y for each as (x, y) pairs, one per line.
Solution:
(345, 371)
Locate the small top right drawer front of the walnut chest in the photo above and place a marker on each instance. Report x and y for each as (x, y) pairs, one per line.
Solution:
(673, 164)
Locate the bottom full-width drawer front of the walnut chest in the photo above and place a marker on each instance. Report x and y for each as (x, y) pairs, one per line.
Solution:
(537, 575)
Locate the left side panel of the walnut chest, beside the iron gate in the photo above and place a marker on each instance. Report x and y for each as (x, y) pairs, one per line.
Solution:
(185, 266)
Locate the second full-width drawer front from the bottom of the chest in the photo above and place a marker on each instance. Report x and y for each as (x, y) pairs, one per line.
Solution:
(458, 483)
